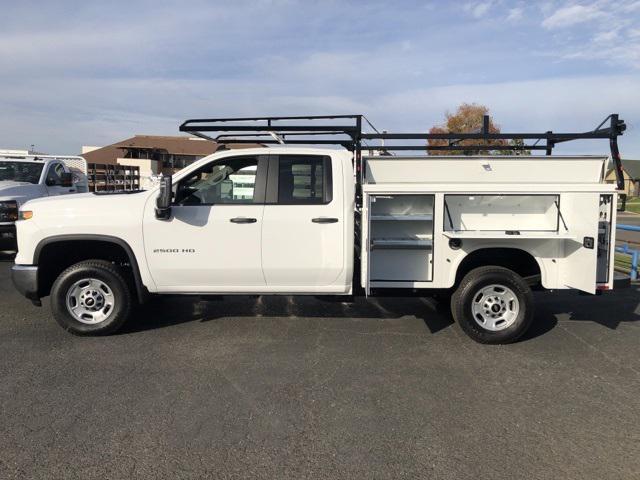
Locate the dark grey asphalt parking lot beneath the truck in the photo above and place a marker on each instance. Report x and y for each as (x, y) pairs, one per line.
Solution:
(306, 388)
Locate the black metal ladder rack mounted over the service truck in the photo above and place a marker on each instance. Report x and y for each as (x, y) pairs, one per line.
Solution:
(347, 131)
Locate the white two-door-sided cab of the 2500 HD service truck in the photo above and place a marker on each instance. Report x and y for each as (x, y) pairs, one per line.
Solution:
(261, 221)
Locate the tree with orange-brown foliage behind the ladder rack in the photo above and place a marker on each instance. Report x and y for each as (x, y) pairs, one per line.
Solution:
(468, 118)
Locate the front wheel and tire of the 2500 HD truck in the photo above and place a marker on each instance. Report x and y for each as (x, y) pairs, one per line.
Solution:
(98, 294)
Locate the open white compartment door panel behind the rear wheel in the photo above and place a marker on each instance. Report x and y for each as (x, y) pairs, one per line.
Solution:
(579, 265)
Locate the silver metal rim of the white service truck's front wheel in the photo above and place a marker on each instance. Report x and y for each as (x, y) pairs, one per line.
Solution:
(90, 301)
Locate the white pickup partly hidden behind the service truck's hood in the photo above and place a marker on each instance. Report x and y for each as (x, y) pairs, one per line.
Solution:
(26, 177)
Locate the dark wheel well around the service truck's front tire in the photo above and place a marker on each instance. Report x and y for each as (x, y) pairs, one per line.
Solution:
(54, 257)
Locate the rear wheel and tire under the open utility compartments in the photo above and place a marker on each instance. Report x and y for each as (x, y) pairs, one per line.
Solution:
(493, 305)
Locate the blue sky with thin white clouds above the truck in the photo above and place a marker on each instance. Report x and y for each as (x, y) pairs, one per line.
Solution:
(92, 73)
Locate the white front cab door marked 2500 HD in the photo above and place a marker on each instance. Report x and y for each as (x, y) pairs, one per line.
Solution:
(212, 241)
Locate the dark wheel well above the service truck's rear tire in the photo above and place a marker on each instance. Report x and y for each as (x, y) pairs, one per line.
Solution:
(514, 259)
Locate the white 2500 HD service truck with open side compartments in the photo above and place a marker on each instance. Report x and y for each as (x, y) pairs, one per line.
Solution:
(293, 220)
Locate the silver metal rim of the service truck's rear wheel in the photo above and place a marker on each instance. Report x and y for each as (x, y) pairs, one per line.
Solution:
(495, 307)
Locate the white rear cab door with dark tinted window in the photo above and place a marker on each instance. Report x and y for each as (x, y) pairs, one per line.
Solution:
(303, 224)
